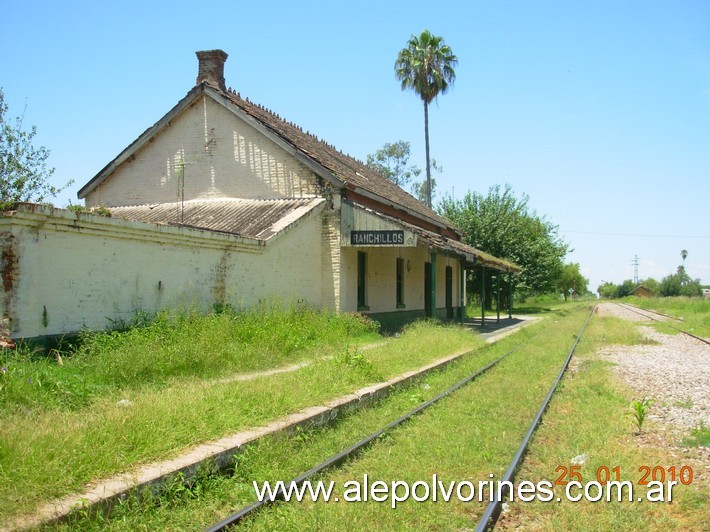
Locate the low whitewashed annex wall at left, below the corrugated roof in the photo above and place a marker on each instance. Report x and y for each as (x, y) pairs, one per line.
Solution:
(74, 271)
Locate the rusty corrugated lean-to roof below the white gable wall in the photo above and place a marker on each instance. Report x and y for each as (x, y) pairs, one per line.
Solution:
(260, 218)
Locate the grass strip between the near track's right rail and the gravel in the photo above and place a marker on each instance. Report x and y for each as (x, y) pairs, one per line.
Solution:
(589, 417)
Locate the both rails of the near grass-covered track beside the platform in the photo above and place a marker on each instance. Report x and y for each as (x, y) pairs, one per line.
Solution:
(492, 511)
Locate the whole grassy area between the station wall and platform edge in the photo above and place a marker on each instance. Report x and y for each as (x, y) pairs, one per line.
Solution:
(64, 426)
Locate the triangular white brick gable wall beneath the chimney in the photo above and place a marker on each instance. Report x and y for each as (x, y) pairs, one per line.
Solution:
(205, 152)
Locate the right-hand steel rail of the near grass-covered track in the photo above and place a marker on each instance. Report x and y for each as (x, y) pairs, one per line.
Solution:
(492, 512)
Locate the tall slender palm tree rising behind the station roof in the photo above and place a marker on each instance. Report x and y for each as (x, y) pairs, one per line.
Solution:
(426, 66)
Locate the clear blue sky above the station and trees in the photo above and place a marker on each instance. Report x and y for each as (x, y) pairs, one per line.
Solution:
(598, 111)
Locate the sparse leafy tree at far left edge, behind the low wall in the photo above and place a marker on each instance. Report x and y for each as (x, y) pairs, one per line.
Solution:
(24, 174)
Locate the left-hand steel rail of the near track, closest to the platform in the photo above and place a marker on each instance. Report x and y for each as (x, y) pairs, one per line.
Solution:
(343, 455)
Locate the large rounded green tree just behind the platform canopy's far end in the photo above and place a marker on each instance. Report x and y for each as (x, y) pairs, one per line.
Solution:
(502, 225)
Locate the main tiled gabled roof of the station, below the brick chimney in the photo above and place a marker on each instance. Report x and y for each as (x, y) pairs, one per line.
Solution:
(334, 166)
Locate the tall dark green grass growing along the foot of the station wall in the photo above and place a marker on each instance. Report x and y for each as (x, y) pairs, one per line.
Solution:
(166, 347)
